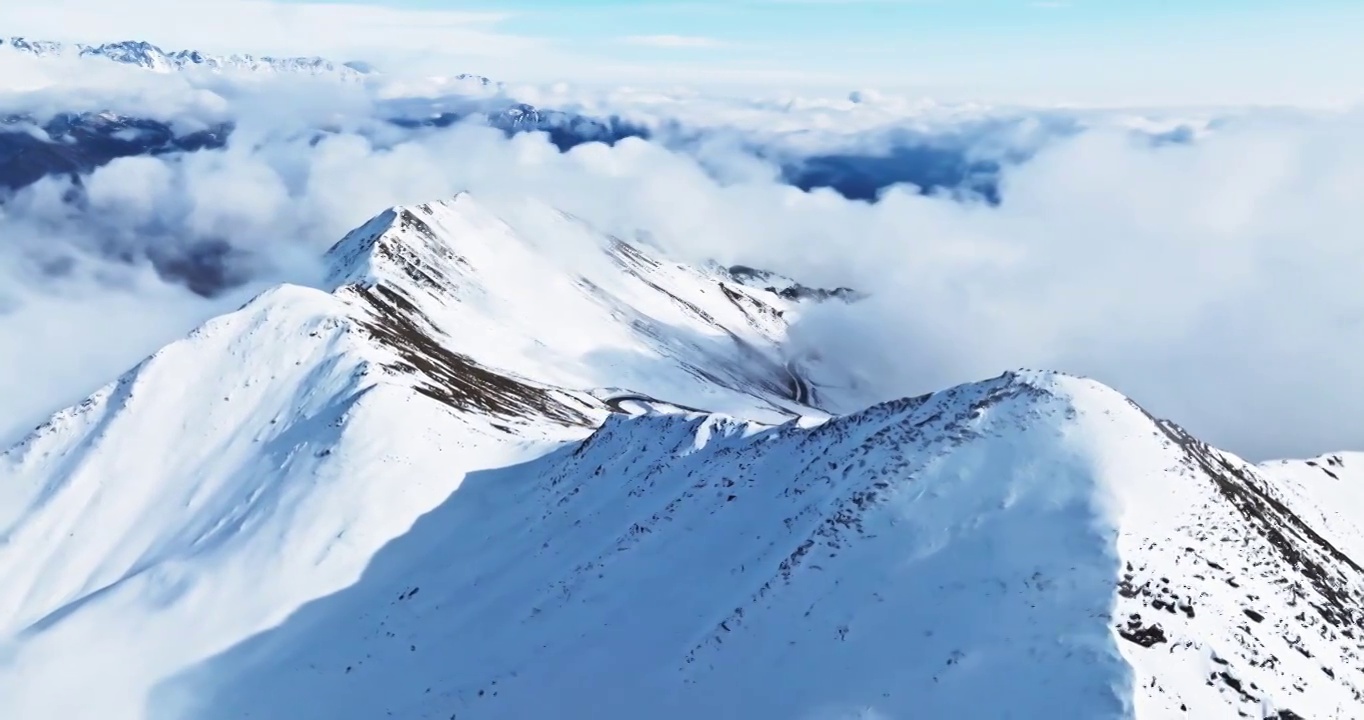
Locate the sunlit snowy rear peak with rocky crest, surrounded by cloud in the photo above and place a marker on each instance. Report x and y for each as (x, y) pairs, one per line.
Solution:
(541, 294)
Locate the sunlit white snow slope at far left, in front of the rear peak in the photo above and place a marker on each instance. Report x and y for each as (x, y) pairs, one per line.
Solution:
(207, 494)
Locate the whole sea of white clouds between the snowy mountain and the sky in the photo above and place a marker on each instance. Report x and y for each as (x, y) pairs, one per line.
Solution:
(1204, 262)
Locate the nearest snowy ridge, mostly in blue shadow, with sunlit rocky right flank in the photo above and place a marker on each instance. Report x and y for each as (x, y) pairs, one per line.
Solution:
(1033, 546)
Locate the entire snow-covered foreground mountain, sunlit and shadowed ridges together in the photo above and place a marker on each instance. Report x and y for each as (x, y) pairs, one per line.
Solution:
(507, 466)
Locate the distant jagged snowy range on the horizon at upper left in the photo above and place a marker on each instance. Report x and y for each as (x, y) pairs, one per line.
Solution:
(152, 58)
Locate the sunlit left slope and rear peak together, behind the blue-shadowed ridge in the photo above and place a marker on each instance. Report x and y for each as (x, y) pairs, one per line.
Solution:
(263, 462)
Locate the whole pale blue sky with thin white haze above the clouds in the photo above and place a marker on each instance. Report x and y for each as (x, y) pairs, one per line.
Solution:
(1021, 51)
